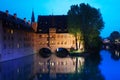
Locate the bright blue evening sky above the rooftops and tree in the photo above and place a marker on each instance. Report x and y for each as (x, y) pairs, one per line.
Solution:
(110, 10)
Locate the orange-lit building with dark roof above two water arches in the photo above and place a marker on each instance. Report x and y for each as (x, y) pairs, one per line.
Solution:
(53, 33)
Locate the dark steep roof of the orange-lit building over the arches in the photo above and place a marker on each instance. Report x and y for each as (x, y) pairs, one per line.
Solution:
(52, 21)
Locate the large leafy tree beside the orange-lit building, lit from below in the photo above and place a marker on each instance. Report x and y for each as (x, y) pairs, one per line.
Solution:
(86, 22)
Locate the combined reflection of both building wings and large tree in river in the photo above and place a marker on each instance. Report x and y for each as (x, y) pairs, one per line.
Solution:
(35, 67)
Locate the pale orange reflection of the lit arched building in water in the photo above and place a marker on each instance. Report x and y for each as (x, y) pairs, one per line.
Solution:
(54, 67)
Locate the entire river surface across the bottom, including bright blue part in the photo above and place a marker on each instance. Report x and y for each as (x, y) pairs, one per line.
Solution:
(105, 66)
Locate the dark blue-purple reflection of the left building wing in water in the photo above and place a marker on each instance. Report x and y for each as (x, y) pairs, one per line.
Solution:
(19, 69)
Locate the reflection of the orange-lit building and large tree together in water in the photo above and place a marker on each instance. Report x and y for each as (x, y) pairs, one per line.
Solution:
(69, 68)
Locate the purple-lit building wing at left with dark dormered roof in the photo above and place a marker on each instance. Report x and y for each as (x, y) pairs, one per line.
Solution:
(15, 37)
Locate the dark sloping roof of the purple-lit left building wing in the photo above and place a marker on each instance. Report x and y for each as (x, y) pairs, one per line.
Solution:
(10, 21)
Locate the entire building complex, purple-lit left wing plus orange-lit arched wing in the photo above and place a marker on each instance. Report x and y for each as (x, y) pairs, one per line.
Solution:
(20, 38)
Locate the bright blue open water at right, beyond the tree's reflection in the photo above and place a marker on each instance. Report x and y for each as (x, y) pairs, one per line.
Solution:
(110, 65)
